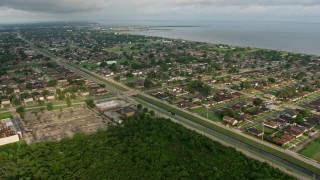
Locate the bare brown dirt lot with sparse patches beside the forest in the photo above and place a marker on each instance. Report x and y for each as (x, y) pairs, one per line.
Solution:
(55, 125)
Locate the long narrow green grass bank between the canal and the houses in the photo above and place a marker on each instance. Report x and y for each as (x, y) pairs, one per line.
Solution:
(231, 134)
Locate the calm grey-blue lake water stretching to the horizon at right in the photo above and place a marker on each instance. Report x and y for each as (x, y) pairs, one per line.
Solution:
(303, 37)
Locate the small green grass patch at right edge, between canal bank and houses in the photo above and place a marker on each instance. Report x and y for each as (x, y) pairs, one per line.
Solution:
(312, 150)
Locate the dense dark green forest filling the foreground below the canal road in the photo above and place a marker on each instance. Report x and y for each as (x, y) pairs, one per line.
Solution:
(144, 148)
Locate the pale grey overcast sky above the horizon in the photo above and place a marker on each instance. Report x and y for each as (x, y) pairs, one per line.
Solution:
(16, 11)
